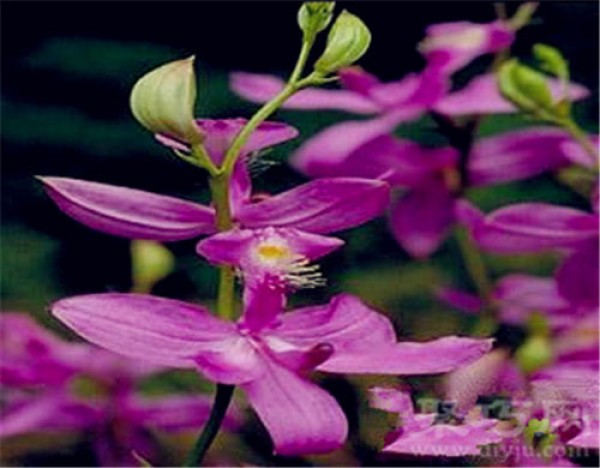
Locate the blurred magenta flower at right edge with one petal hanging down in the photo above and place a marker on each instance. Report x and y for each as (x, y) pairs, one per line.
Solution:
(535, 227)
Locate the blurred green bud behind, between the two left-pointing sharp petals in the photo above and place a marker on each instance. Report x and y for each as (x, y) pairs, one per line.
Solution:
(150, 262)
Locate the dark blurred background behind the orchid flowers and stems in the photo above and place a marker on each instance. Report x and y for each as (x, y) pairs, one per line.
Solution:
(67, 69)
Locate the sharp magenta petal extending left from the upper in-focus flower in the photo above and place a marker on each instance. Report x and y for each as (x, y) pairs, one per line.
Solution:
(128, 212)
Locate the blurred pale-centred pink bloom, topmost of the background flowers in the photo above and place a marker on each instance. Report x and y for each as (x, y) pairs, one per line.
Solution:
(451, 46)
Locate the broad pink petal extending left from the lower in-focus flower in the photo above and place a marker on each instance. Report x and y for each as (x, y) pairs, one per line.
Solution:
(166, 331)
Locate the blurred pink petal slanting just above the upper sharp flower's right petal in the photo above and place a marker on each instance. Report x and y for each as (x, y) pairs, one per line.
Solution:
(330, 148)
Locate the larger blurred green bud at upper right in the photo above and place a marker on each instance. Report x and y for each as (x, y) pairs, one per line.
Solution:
(526, 88)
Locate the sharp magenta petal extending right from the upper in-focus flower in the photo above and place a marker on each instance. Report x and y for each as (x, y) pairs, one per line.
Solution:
(320, 206)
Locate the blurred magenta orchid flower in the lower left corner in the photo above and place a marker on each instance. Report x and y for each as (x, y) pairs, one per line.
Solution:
(39, 372)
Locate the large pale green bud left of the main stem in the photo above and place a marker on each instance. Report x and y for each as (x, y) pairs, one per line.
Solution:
(163, 100)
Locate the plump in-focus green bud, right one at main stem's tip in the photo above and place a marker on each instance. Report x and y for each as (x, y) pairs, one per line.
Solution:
(348, 40)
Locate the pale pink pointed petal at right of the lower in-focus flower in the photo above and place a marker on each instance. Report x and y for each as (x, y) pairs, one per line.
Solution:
(433, 357)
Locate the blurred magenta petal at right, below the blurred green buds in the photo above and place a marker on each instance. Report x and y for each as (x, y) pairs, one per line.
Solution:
(517, 155)
